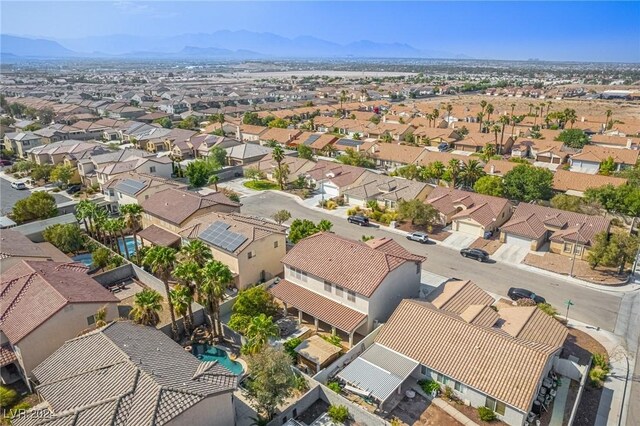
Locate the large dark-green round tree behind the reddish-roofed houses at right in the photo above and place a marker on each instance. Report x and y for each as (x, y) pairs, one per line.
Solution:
(526, 183)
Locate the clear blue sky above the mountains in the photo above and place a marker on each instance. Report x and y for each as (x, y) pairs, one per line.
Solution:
(596, 31)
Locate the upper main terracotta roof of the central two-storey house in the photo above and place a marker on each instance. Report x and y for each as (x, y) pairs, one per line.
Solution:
(351, 264)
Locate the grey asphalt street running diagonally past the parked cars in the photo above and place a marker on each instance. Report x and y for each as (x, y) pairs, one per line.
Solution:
(590, 306)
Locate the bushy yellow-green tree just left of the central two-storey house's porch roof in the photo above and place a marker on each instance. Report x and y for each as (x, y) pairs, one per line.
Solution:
(249, 303)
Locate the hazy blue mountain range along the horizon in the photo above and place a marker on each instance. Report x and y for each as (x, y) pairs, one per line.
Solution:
(220, 44)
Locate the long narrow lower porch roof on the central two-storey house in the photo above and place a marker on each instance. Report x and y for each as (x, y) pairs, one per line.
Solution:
(323, 308)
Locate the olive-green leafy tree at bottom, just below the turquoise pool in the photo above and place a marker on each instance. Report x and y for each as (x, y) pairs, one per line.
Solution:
(273, 380)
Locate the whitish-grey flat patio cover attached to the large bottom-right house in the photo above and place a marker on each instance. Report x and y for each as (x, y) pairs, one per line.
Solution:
(379, 371)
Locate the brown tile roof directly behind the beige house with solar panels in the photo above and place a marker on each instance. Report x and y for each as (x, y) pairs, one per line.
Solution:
(177, 205)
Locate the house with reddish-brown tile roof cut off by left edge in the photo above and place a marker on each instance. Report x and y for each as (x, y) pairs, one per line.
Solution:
(42, 304)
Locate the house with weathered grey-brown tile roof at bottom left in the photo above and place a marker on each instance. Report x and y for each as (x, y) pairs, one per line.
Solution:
(131, 374)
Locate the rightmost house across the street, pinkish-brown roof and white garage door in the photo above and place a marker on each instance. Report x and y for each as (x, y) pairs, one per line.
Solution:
(568, 233)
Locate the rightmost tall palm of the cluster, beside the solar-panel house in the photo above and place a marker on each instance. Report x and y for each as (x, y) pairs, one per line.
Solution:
(216, 278)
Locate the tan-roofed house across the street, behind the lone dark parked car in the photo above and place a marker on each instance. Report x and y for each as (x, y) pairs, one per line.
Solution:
(386, 190)
